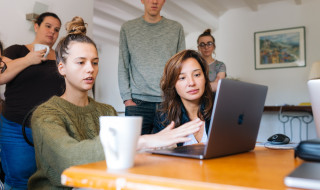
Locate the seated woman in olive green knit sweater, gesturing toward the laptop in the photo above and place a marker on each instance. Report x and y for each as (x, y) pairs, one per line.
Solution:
(65, 129)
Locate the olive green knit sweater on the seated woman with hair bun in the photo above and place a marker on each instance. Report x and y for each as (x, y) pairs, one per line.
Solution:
(65, 135)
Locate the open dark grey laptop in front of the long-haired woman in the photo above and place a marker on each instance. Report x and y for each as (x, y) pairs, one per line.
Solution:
(234, 125)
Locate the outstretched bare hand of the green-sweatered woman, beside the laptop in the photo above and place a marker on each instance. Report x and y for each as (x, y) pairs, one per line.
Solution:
(170, 135)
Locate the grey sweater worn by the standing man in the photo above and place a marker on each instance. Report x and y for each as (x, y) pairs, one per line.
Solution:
(144, 50)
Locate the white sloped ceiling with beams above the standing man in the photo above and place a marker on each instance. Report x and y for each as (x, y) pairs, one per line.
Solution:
(109, 15)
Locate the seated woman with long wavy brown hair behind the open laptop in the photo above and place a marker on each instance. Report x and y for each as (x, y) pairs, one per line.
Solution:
(186, 94)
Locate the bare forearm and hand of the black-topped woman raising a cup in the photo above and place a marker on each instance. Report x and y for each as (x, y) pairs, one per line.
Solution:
(14, 67)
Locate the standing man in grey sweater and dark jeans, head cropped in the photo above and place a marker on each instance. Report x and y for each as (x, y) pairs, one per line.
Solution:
(146, 43)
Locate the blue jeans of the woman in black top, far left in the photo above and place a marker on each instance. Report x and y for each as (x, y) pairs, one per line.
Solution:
(17, 157)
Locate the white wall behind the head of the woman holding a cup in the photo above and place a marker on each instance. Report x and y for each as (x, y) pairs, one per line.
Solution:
(15, 29)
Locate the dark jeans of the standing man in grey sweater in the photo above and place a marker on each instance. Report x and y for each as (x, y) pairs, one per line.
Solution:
(145, 109)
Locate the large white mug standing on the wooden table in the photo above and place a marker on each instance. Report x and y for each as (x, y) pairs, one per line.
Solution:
(119, 137)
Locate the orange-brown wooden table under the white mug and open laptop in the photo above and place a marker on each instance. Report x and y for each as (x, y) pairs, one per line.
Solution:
(259, 169)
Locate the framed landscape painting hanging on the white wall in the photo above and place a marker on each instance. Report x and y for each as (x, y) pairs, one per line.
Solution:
(281, 48)
